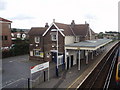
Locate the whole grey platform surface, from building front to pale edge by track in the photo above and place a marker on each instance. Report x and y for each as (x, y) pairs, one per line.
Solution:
(68, 78)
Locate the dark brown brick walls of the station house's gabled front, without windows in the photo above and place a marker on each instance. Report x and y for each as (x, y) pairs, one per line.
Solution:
(46, 45)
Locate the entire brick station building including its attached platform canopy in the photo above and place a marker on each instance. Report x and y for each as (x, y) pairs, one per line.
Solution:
(76, 42)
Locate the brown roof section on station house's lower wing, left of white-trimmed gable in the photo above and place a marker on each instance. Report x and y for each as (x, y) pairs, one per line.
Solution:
(37, 30)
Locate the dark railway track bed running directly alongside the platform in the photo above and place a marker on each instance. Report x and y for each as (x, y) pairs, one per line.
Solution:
(97, 78)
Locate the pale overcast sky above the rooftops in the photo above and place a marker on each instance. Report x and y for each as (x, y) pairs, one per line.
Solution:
(102, 15)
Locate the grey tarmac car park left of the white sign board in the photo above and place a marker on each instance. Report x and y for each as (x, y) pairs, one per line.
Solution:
(15, 70)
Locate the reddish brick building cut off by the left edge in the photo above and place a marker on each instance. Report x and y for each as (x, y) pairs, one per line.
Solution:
(5, 41)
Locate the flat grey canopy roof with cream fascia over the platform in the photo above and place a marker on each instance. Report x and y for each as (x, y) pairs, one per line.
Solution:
(88, 44)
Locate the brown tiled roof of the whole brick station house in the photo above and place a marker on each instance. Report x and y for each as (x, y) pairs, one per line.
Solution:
(68, 30)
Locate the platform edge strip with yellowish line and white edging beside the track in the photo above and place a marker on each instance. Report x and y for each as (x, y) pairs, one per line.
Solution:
(91, 66)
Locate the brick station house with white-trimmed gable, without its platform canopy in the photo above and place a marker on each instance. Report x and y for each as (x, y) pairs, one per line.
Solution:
(43, 40)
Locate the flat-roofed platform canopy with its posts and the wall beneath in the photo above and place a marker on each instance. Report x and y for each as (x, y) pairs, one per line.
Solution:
(85, 50)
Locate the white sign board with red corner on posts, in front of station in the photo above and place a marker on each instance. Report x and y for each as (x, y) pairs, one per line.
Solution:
(39, 67)
